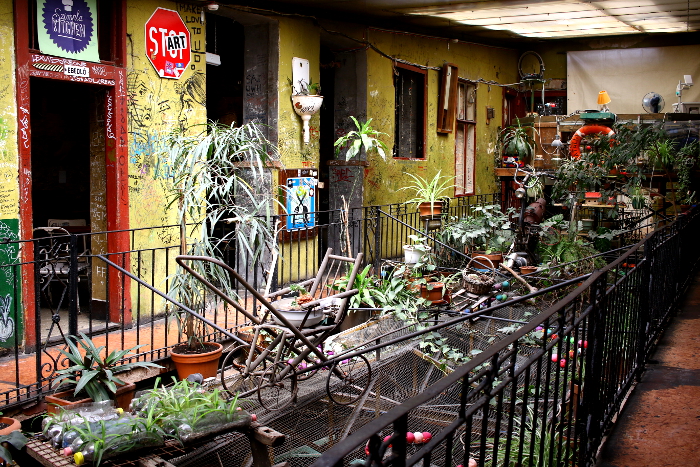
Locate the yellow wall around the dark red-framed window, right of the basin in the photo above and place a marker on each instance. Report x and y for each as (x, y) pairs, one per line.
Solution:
(384, 179)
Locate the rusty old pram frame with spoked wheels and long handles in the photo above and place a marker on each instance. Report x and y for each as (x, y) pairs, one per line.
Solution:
(283, 346)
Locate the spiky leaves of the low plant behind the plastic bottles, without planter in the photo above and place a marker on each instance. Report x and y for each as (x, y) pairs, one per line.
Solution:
(96, 374)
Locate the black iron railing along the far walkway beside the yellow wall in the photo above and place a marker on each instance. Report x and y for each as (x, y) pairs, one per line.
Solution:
(75, 290)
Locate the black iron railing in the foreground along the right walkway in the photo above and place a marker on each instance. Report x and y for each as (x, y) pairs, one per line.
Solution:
(550, 403)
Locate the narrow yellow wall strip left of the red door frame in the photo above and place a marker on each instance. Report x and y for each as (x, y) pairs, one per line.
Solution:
(9, 187)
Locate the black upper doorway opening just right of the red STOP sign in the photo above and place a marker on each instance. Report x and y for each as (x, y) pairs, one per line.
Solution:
(225, 38)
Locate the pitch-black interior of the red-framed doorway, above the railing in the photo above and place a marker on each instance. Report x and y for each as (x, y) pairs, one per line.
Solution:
(60, 123)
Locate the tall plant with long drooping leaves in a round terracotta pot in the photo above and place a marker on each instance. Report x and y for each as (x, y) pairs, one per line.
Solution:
(219, 175)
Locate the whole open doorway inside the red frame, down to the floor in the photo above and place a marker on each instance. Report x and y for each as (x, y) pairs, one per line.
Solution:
(68, 194)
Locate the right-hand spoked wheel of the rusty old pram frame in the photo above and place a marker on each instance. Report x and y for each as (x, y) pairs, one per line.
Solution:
(354, 382)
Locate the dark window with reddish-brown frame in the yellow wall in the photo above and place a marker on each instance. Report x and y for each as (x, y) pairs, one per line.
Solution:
(410, 85)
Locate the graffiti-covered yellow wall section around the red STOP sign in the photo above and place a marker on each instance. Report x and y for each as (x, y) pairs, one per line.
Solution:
(156, 106)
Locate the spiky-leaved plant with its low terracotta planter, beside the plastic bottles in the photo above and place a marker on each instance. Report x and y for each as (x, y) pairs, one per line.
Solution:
(95, 375)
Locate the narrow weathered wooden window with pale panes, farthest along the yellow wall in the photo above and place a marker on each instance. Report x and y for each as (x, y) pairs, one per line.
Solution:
(465, 138)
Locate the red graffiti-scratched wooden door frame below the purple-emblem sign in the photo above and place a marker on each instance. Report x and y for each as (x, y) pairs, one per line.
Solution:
(107, 75)
